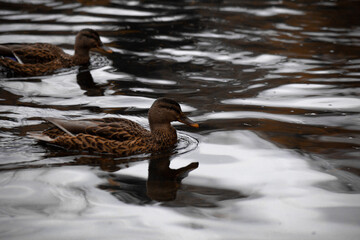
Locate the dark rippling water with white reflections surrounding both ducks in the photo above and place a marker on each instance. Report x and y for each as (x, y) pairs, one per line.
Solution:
(274, 85)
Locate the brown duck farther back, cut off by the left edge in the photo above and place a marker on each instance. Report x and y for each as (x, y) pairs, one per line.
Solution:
(44, 58)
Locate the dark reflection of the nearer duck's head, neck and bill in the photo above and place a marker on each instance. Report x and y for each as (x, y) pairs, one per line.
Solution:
(163, 182)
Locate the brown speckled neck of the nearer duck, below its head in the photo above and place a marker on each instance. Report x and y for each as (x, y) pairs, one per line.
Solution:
(164, 134)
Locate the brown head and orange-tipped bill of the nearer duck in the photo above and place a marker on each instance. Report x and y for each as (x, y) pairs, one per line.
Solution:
(164, 111)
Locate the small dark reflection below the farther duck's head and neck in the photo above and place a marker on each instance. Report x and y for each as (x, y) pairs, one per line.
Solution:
(86, 82)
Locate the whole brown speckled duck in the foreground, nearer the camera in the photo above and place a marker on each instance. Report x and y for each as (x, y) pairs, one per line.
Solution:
(119, 136)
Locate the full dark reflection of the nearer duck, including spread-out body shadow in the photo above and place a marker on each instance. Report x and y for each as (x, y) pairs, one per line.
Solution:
(165, 185)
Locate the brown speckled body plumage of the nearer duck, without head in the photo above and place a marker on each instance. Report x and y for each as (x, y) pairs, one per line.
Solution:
(123, 137)
